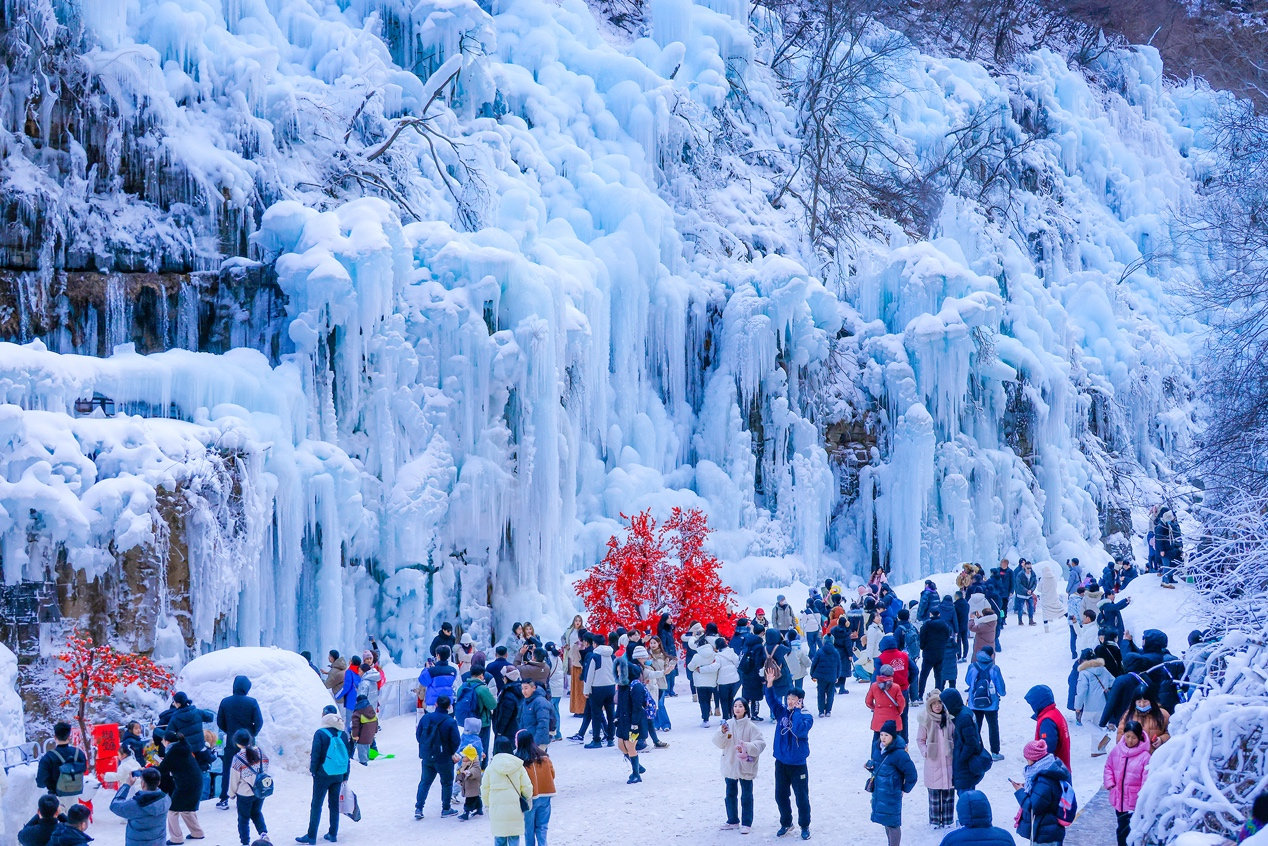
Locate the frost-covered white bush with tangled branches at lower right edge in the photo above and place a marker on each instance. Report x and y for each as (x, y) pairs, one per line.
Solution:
(1217, 762)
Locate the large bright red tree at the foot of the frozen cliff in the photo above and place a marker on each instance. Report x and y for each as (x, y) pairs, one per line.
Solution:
(659, 568)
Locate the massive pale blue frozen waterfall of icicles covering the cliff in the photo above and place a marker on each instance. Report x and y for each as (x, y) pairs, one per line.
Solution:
(584, 306)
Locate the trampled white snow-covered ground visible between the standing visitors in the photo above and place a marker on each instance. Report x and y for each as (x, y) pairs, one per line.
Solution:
(680, 800)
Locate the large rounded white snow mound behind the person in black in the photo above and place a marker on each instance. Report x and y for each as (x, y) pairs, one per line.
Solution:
(291, 696)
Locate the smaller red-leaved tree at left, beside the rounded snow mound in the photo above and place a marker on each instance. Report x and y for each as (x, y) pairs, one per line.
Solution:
(94, 672)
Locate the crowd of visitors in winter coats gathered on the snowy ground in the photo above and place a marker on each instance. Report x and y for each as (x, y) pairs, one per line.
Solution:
(490, 716)
